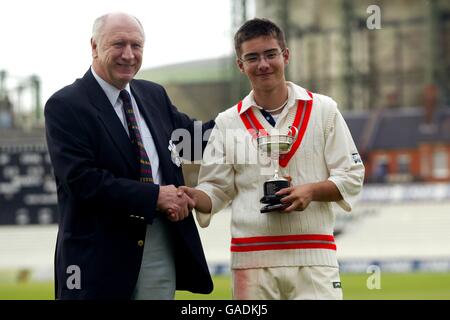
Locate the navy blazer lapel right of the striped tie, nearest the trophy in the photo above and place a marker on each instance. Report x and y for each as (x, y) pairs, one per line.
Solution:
(160, 133)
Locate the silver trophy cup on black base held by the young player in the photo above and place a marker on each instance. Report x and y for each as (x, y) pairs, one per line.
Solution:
(273, 146)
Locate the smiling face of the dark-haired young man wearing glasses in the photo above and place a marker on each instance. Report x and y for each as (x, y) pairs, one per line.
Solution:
(263, 61)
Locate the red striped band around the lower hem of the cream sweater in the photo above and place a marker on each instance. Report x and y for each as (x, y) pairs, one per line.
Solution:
(285, 242)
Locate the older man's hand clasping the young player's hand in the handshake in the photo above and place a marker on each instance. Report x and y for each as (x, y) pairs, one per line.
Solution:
(175, 203)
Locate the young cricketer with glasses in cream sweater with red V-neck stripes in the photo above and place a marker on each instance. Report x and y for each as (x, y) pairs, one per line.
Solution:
(287, 254)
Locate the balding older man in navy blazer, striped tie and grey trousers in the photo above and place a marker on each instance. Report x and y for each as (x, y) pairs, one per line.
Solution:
(124, 232)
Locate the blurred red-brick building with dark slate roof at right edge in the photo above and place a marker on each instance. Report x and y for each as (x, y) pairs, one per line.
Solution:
(404, 144)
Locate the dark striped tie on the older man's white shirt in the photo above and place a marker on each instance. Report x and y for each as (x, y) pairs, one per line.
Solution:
(136, 139)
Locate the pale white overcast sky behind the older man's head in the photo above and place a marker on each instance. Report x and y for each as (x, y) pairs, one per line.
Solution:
(51, 38)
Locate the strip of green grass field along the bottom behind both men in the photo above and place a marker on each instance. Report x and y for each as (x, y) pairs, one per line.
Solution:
(399, 286)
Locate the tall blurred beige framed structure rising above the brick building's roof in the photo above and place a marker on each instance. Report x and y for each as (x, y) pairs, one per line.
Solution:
(366, 53)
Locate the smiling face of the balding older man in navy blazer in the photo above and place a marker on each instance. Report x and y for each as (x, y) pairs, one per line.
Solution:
(117, 56)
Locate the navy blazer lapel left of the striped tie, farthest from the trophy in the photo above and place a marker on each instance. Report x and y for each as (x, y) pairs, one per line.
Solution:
(109, 118)
